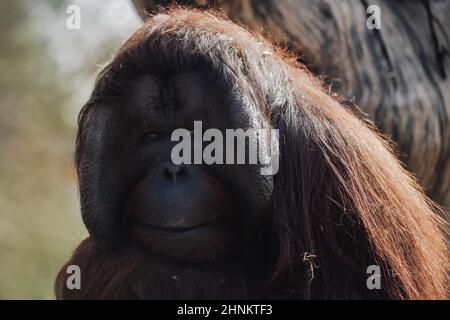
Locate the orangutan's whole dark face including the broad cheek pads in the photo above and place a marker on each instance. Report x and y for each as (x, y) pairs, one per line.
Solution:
(188, 214)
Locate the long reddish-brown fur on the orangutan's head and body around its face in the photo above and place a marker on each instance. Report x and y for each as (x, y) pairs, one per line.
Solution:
(342, 201)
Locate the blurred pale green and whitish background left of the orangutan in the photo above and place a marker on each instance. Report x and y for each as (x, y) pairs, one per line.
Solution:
(46, 74)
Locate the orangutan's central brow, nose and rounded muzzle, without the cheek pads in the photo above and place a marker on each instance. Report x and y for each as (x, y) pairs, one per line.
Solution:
(174, 210)
